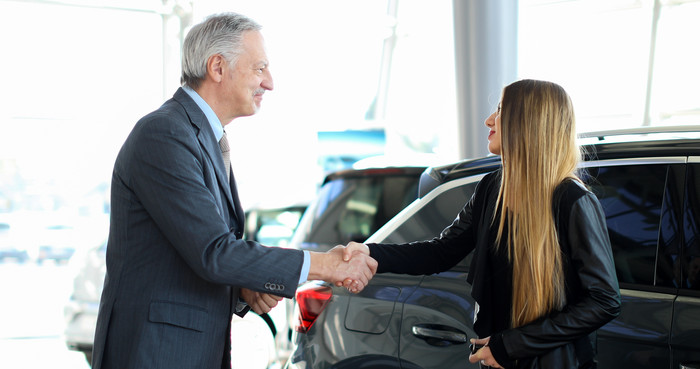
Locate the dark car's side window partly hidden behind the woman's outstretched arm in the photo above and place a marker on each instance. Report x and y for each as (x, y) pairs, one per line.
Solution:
(433, 217)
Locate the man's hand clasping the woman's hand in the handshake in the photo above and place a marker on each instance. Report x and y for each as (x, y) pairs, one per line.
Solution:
(331, 267)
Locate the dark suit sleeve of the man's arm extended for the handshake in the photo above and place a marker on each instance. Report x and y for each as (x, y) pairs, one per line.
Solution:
(167, 172)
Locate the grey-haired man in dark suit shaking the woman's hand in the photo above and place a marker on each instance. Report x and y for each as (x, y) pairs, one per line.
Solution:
(177, 268)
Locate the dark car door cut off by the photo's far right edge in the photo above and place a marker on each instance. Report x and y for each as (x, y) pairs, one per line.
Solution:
(685, 334)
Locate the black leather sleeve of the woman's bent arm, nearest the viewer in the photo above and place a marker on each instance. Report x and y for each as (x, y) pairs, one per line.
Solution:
(592, 304)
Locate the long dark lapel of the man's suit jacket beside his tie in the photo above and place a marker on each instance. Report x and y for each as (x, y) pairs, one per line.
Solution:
(211, 148)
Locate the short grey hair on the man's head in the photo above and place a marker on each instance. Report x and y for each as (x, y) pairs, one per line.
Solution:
(217, 34)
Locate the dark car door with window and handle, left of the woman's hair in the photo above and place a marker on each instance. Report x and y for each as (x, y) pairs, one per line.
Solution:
(436, 321)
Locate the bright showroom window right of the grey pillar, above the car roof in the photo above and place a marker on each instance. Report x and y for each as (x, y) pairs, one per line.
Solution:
(626, 63)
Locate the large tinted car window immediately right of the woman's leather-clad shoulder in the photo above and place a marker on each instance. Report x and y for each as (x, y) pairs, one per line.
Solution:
(632, 198)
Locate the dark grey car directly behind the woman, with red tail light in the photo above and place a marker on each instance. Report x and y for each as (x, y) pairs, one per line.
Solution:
(648, 182)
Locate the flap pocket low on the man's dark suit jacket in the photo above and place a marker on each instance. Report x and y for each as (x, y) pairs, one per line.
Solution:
(178, 314)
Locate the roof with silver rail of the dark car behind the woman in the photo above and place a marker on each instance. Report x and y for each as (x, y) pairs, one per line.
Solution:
(601, 145)
